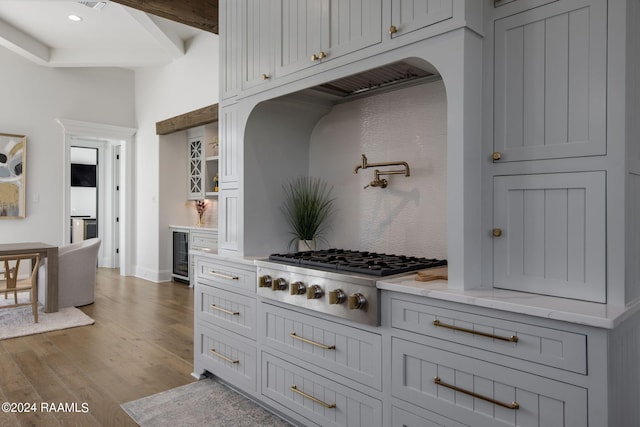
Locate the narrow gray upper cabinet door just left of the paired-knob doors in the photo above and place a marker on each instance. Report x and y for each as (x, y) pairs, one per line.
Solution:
(258, 52)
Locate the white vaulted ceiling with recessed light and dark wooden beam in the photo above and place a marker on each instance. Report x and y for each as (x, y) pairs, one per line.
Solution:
(118, 33)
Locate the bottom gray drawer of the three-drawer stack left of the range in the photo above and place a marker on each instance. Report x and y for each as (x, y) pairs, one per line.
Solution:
(226, 357)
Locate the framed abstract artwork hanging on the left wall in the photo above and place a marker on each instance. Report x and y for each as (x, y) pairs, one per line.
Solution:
(12, 175)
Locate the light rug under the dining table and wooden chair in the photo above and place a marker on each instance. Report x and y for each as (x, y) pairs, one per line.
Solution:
(17, 322)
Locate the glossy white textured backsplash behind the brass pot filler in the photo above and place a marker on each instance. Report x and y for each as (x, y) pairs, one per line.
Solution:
(408, 217)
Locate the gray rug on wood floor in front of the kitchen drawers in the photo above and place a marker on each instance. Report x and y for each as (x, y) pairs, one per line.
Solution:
(201, 403)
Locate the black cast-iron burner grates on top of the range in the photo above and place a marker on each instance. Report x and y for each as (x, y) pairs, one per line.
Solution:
(370, 263)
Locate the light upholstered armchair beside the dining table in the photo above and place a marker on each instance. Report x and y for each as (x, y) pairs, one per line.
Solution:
(77, 273)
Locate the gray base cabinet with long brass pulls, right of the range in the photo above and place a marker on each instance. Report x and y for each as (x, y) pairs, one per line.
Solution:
(531, 372)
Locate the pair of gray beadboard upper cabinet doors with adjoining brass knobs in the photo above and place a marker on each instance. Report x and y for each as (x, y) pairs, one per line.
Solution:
(324, 27)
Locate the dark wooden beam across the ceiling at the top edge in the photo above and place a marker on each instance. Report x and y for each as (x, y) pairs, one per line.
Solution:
(202, 14)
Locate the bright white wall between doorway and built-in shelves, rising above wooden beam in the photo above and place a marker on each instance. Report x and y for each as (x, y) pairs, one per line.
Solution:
(185, 85)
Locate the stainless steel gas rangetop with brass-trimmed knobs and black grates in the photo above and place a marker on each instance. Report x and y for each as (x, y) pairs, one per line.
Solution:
(337, 282)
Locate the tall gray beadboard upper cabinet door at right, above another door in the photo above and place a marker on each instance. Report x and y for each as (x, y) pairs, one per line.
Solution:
(550, 81)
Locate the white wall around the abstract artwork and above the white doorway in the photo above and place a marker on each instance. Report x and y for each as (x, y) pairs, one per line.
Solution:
(32, 98)
